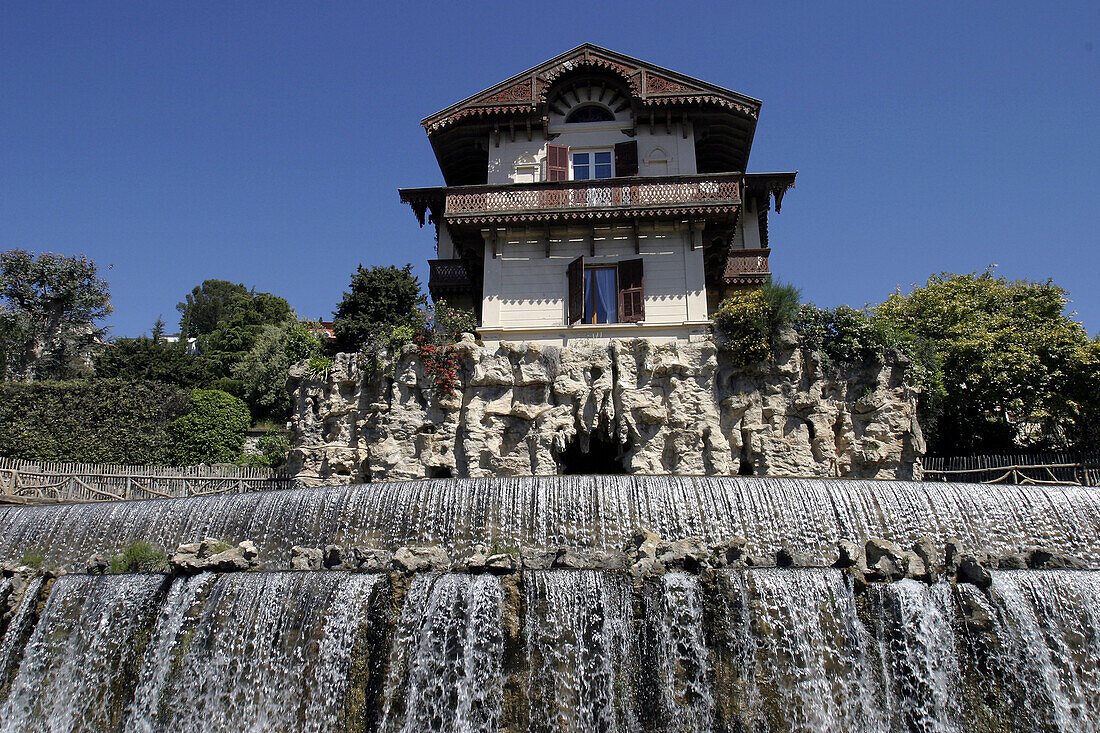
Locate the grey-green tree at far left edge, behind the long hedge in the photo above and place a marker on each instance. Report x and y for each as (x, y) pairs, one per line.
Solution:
(49, 309)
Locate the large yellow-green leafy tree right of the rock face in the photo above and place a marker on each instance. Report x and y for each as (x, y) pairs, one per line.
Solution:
(1007, 351)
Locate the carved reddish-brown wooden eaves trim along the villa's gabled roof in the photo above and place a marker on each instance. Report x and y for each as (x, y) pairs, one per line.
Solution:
(651, 86)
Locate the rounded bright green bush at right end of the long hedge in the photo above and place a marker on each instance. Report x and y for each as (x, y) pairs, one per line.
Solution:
(213, 432)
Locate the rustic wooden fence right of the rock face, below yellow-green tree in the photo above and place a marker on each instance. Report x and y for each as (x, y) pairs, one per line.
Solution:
(1081, 469)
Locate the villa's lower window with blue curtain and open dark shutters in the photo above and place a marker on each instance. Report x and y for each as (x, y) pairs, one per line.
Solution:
(607, 294)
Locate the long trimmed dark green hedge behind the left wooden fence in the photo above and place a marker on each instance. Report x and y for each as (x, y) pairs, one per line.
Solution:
(91, 421)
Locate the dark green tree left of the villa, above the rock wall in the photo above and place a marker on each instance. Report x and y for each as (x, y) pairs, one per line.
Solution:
(380, 296)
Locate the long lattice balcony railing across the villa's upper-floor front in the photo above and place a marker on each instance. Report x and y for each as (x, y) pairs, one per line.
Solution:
(697, 194)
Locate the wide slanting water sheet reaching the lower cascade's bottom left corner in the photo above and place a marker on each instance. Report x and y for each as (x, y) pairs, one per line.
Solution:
(85, 648)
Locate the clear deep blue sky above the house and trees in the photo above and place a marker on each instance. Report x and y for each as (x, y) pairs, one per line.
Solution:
(265, 143)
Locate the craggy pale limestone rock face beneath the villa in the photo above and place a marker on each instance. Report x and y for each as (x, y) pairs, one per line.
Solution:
(679, 408)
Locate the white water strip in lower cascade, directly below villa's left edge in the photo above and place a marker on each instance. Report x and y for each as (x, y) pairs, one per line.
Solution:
(445, 668)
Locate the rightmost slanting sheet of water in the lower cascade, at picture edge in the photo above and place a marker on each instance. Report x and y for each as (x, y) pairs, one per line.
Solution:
(1049, 626)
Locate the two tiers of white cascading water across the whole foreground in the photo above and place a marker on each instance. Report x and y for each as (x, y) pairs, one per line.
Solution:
(762, 650)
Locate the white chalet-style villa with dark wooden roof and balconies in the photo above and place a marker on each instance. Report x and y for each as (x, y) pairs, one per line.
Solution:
(597, 196)
